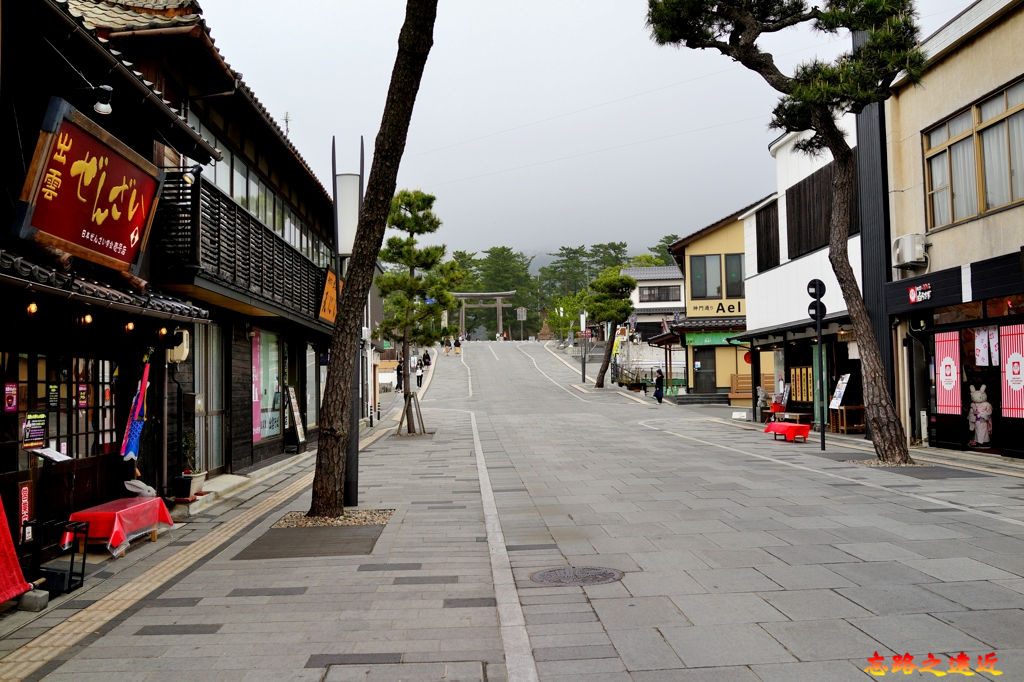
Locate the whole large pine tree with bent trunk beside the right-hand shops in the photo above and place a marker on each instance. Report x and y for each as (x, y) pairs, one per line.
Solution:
(814, 98)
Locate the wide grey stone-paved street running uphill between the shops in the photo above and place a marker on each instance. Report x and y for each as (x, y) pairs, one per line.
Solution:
(744, 559)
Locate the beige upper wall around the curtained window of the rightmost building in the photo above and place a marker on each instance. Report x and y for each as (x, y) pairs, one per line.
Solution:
(982, 66)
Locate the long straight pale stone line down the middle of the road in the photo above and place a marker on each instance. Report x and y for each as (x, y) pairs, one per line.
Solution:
(519, 654)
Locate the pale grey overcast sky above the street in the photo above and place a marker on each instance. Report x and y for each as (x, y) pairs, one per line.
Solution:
(539, 123)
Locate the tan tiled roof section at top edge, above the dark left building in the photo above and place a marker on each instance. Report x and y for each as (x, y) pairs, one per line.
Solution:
(135, 16)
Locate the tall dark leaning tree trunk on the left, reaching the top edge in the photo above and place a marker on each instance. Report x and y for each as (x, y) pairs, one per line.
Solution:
(415, 42)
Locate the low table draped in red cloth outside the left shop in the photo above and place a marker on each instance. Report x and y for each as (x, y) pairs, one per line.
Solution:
(120, 522)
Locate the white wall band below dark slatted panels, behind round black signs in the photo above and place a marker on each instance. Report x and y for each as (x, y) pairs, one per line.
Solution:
(779, 296)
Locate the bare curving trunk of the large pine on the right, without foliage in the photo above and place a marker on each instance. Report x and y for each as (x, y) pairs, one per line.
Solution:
(887, 432)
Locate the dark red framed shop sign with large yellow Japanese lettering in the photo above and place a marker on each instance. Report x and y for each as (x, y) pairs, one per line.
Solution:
(88, 193)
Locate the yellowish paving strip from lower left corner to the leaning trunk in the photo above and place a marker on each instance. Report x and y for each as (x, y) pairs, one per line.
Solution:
(34, 655)
